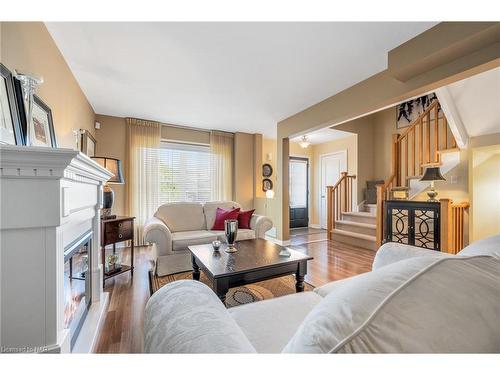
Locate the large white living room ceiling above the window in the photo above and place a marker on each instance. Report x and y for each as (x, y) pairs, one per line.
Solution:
(226, 76)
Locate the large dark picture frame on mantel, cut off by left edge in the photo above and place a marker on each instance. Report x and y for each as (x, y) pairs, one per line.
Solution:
(10, 124)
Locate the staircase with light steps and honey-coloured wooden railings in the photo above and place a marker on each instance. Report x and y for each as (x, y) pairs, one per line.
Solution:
(428, 141)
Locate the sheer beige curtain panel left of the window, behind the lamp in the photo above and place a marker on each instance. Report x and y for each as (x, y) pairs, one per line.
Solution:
(142, 172)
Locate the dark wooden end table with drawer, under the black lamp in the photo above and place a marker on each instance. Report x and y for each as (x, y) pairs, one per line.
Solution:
(113, 231)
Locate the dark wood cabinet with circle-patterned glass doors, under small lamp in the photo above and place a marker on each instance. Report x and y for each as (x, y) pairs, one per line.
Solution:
(413, 223)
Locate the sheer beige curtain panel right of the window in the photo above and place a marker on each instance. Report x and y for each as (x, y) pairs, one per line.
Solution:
(221, 147)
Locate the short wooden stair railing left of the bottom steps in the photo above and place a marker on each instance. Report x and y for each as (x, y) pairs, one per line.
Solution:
(338, 200)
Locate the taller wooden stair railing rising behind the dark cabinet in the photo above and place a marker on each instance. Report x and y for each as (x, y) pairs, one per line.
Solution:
(419, 146)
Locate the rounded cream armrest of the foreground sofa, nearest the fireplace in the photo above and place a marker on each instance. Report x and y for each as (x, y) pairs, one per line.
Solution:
(187, 317)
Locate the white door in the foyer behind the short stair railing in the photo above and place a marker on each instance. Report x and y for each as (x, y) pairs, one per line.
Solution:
(331, 165)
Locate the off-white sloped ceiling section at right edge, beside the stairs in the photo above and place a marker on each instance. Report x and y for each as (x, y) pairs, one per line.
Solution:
(477, 100)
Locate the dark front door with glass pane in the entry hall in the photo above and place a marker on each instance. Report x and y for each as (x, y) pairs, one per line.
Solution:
(299, 192)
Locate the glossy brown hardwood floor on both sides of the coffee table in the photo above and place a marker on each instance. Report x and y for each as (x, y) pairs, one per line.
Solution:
(123, 328)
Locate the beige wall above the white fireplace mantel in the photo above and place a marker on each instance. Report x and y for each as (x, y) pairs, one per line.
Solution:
(28, 47)
